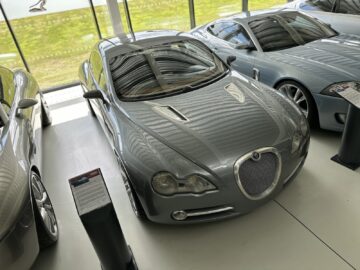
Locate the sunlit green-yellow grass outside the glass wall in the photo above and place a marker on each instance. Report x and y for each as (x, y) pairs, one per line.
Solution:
(55, 44)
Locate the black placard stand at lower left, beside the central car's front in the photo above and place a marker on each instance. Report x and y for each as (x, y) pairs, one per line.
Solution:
(98, 216)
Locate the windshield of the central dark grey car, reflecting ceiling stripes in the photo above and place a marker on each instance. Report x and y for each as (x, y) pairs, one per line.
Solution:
(164, 69)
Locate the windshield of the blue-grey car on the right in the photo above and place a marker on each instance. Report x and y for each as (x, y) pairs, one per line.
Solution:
(287, 30)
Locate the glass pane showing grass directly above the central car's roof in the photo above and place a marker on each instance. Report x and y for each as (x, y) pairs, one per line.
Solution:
(159, 14)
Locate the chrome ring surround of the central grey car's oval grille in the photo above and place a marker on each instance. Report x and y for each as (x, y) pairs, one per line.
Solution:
(248, 156)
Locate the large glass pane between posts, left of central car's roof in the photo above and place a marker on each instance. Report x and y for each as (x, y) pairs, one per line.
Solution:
(54, 39)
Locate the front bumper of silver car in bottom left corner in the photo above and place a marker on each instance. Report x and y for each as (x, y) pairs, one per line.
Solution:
(19, 248)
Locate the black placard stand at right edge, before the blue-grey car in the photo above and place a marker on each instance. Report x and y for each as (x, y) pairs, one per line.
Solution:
(349, 153)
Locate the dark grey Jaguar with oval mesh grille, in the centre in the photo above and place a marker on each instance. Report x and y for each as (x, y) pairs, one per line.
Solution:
(195, 140)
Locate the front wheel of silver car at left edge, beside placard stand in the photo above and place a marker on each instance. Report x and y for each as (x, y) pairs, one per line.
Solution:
(45, 219)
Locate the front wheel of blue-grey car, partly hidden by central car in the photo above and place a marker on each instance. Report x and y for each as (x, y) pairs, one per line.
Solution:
(298, 94)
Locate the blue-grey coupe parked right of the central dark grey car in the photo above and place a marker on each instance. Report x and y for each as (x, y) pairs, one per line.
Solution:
(294, 53)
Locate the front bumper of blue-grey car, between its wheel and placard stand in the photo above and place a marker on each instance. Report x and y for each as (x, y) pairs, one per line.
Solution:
(331, 111)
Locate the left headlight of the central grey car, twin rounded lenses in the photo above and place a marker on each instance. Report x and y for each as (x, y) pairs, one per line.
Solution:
(166, 184)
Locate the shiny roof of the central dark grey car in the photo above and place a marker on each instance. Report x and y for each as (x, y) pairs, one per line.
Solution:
(148, 38)
